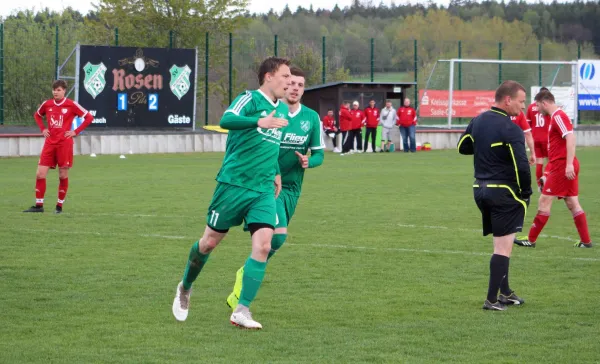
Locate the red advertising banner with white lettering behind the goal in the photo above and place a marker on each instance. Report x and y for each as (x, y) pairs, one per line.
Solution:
(465, 104)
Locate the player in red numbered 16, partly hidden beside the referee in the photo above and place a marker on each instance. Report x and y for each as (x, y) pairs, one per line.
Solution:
(539, 129)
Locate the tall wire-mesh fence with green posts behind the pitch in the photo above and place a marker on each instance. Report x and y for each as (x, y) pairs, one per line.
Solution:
(30, 57)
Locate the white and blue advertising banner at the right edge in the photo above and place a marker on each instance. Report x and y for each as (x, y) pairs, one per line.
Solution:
(589, 84)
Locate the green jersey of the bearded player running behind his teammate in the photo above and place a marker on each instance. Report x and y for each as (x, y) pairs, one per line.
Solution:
(303, 132)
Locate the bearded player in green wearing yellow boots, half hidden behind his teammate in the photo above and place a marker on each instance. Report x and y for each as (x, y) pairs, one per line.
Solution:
(303, 132)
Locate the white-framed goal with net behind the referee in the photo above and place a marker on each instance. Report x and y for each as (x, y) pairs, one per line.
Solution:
(459, 89)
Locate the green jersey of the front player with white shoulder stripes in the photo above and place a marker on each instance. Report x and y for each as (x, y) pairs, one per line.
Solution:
(251, 152)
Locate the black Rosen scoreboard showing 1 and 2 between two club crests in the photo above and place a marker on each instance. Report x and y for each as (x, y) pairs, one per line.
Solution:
(126, 87)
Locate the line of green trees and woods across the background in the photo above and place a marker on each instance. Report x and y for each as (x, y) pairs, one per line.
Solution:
(359, 39)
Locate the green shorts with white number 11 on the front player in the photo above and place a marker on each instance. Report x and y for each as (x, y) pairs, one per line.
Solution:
(232, 205)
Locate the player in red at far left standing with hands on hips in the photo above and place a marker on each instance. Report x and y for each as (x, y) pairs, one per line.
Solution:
(58, 146)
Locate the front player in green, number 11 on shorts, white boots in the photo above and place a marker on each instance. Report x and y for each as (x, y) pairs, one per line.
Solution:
(245, 191)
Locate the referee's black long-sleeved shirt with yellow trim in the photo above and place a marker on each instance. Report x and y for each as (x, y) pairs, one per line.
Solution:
(498, 148)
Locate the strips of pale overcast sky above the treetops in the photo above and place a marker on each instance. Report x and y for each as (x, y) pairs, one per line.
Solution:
(256, 6)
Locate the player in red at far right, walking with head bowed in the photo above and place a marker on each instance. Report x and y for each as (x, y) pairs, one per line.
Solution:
(562, 174)
